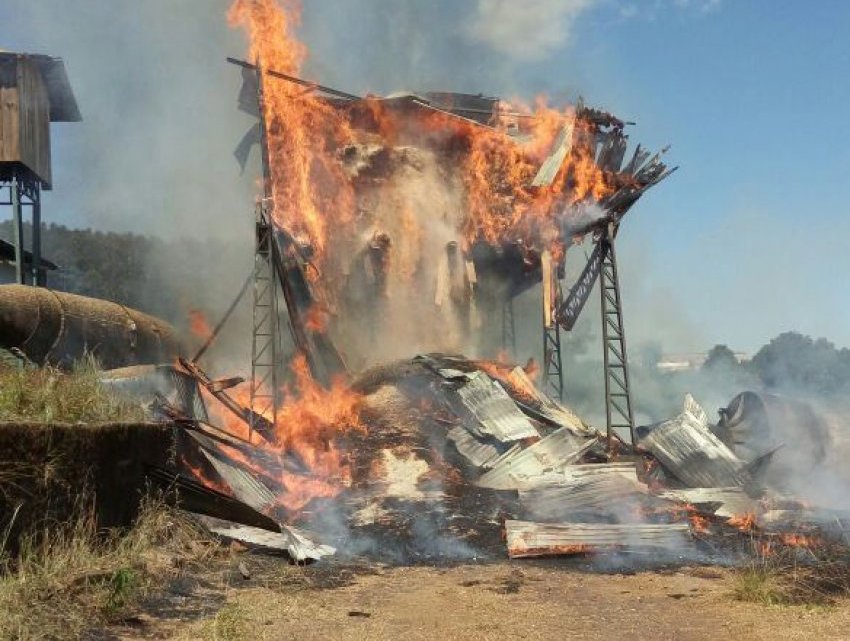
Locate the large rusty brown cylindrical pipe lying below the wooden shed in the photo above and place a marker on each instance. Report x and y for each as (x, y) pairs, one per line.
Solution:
(58, 328)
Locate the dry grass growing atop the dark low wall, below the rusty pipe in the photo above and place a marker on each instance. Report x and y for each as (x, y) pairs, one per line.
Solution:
(50, 396)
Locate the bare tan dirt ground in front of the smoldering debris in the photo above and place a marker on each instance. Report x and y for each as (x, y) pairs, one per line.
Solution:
(522, 600)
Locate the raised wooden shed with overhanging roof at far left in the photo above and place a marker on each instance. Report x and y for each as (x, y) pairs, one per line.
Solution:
(34, 91)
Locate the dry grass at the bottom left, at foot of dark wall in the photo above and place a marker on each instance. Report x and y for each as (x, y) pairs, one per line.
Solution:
(67, 580)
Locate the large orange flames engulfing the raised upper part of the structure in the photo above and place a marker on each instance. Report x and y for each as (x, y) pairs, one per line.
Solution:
(314, 199)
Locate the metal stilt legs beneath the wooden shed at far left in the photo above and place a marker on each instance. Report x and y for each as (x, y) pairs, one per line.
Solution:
(24, 190)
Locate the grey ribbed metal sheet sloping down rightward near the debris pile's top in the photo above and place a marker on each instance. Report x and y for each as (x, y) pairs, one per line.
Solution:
(497, 415)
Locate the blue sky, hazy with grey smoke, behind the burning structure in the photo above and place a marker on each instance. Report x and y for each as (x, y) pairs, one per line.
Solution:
(749, 238)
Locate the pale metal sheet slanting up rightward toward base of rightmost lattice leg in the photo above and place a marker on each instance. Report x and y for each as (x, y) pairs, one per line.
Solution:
(524, 468)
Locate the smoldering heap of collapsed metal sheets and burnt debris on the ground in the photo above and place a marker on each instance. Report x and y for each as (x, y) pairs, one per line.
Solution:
(453, 457)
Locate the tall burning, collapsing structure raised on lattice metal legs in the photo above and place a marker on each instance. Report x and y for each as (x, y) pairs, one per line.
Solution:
(427, 215)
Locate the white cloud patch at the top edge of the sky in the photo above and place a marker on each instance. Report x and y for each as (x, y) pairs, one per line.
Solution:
(528, 30)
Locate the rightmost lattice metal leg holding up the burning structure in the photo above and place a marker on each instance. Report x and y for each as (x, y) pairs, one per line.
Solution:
(618, 399)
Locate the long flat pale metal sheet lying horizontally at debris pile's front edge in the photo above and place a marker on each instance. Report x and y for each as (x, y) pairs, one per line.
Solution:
(529, 539)
